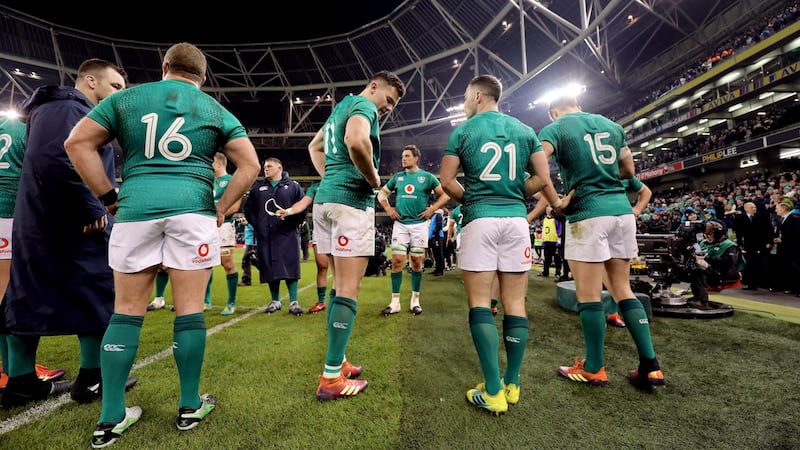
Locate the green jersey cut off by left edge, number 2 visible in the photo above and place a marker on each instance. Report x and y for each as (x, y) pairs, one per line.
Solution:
(12, 152)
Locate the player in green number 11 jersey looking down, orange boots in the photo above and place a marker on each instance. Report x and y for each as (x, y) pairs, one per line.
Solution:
(346, 154)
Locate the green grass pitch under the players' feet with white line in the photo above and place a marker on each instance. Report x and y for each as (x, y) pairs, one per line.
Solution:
(730, 381)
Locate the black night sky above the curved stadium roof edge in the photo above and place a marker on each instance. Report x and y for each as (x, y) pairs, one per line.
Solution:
(222, 23)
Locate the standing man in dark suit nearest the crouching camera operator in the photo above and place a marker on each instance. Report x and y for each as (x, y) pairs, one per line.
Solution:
(754, 236)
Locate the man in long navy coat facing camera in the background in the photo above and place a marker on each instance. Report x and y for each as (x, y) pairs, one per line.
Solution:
(278, 238)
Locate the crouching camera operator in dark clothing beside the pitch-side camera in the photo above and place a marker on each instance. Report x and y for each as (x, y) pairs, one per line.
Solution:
(716, 264)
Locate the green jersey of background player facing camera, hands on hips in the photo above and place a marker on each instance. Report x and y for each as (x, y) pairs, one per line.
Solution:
(412, 193)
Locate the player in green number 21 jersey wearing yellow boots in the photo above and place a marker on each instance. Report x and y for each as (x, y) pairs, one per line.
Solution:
(495, 151)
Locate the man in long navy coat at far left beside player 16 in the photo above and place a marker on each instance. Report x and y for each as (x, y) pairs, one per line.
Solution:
(60, 281)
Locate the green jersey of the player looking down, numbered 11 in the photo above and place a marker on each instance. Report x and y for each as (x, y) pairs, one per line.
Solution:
(342, 182)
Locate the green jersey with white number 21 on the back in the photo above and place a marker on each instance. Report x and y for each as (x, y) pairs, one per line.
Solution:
(494, 149)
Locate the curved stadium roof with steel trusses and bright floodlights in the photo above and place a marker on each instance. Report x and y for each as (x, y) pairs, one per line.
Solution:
(282, 91)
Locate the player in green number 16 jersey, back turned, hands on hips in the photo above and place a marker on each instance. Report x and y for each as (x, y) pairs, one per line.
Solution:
(169, 131)
